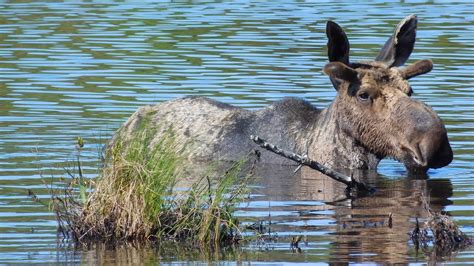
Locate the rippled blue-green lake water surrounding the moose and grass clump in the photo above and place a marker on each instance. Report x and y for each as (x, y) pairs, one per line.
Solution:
(72, 69)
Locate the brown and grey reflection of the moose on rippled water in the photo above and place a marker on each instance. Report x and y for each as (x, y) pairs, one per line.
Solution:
(361, 224)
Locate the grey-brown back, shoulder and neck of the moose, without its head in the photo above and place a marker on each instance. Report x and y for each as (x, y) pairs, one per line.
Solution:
(210, 130)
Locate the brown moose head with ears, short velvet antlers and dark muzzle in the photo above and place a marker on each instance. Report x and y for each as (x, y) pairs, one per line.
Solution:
(374, 102)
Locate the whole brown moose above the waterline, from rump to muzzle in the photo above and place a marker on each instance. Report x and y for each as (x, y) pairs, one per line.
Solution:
(372, 117)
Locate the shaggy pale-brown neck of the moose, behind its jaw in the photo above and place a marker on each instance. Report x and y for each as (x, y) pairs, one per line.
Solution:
(331, 145)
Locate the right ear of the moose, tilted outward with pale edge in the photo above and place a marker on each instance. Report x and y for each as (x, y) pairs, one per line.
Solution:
(398, 48)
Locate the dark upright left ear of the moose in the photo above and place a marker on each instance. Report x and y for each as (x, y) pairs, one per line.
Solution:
(338, 45)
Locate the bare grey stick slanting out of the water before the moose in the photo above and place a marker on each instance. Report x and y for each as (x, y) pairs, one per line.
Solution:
(304, 160)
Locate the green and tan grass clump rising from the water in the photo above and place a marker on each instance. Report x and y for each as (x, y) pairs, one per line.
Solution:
(136, 198)
